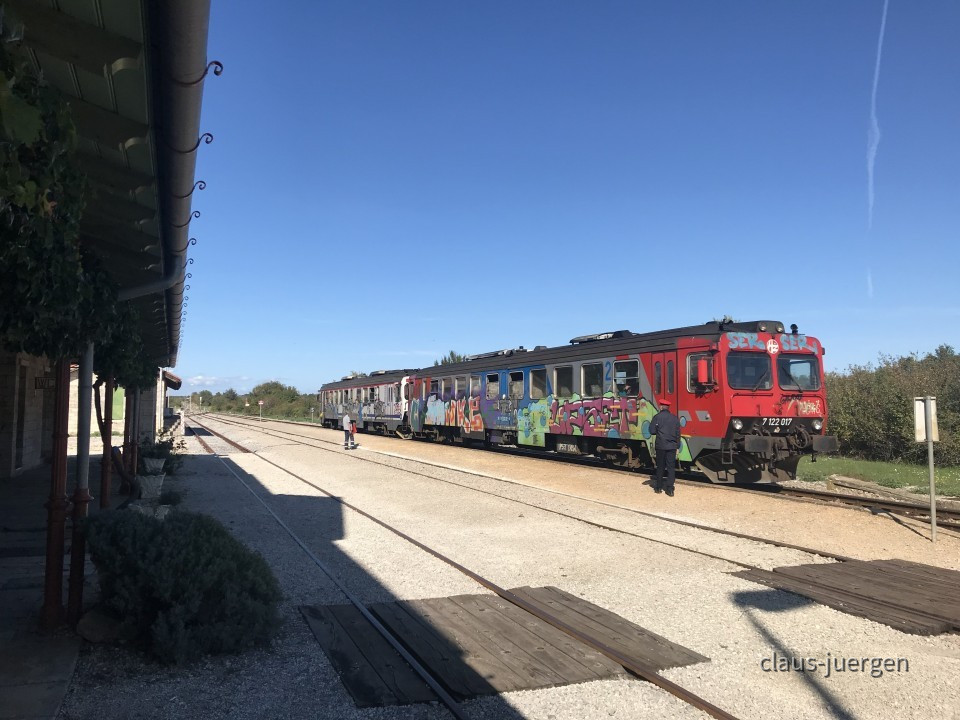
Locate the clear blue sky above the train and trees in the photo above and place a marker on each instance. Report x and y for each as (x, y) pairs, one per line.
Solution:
(393, 180)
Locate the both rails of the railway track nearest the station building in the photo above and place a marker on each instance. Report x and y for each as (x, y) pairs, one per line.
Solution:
(633, 665)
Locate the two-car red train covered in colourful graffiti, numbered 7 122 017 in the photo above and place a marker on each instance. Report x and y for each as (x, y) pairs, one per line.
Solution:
(749, 395)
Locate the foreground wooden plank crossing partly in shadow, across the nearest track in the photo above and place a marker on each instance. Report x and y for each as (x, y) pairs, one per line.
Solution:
(480, 645)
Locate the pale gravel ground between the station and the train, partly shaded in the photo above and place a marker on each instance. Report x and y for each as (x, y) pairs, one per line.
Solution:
(686, 597)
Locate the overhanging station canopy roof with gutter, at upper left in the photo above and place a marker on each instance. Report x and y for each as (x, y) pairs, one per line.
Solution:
(132, 72)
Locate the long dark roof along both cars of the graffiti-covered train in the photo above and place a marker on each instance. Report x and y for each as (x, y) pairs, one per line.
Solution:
(615, 342)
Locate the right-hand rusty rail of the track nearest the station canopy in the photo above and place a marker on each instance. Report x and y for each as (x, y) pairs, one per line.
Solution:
(636, 667)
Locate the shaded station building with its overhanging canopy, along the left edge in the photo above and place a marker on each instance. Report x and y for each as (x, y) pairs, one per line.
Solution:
(133, 75)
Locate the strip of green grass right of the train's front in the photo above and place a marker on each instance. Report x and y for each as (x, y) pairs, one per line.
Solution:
(896, 475)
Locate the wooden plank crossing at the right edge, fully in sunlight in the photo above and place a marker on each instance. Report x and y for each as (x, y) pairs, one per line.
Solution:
(911, 597)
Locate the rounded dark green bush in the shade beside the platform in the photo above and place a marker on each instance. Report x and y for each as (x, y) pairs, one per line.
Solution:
(184, 586)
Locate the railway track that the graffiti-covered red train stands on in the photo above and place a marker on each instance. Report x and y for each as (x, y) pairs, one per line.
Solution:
(947, 518)
